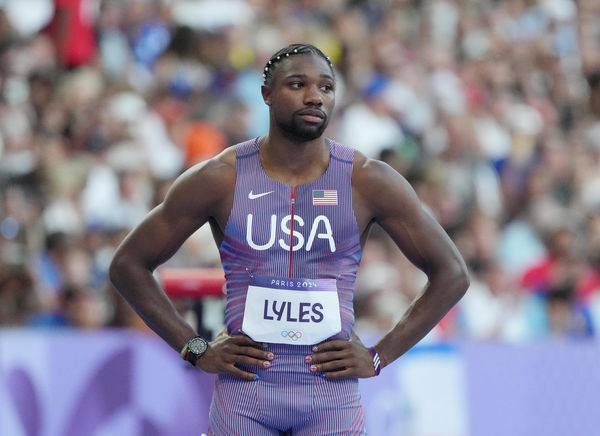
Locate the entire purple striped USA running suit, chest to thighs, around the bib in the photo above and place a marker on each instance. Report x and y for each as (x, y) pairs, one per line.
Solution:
(304, 232)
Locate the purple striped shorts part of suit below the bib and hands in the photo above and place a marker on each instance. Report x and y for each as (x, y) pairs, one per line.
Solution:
(288, 399)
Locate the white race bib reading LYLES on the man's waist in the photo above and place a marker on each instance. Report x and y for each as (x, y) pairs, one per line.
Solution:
(291, 311)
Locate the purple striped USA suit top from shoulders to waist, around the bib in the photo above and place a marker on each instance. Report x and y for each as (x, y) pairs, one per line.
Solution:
(256, 238)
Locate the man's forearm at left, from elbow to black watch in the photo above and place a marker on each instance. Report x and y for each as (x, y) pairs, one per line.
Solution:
(140, 289)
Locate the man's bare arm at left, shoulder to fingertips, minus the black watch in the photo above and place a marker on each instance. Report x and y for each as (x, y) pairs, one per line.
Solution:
(203, 192)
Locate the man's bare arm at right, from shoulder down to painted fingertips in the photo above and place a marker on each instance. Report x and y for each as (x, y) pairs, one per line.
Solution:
(382, 195)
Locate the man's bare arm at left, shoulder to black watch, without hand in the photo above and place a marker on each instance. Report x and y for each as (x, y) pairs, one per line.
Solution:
(195, 196)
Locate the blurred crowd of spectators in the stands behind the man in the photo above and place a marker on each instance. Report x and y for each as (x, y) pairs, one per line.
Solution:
(490, 108)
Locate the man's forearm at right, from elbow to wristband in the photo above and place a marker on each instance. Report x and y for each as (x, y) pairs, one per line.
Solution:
(440, 295)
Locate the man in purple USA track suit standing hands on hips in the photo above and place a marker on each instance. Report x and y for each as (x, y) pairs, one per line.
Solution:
(290, 212)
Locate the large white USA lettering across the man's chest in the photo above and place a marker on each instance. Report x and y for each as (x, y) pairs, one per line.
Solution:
(320, 228)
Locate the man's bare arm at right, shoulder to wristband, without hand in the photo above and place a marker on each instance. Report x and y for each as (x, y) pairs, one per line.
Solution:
(386, 197)
